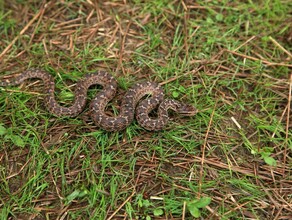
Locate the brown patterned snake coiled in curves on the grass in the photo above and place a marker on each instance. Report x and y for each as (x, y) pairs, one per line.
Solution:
(139, 101)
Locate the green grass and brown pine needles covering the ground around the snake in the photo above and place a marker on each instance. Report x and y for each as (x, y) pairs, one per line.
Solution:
(232, 60)
